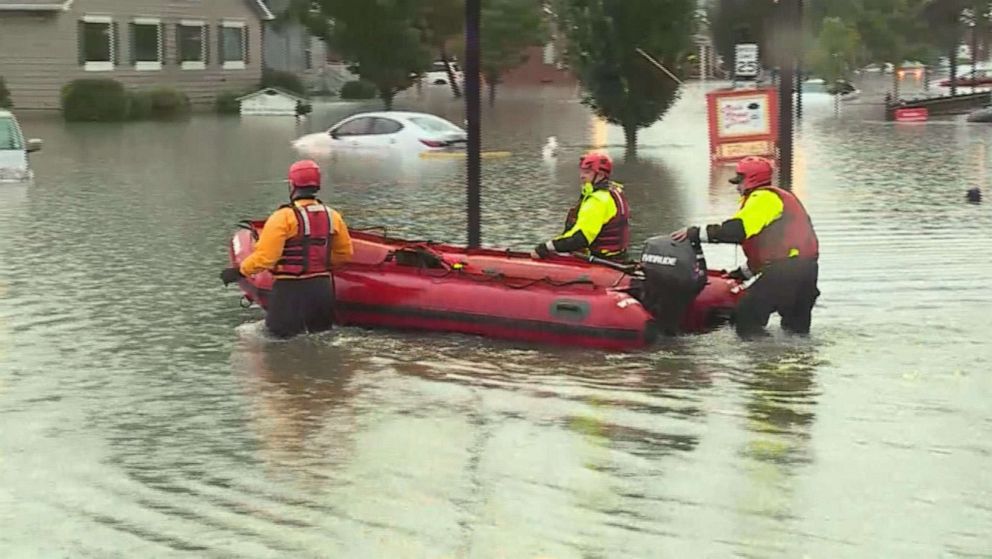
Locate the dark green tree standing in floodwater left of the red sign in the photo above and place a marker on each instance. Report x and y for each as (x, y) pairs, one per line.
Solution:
(620, 85)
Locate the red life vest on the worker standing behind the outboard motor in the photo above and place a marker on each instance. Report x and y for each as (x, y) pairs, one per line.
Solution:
(792, 231)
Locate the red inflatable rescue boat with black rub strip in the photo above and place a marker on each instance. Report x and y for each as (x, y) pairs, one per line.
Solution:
(422, 285)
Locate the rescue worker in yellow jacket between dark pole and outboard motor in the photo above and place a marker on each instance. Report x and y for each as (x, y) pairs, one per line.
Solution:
(599, 224)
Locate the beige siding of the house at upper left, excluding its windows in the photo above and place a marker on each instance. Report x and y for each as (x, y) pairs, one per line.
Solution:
(39, 51)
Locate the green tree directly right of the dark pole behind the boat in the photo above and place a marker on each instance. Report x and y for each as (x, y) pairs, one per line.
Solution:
(507, 28)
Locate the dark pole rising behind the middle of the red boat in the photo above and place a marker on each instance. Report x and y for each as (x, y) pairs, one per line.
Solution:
(472, 110)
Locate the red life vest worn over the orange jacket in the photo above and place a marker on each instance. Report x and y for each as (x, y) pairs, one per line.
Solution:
(308, 253)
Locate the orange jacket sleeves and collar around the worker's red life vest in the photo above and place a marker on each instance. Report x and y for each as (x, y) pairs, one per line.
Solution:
(280, 227)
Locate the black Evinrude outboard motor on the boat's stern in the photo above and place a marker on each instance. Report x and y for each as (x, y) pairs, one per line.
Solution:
(674, 274)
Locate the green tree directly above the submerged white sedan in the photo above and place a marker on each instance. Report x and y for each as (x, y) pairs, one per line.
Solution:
(383, 40)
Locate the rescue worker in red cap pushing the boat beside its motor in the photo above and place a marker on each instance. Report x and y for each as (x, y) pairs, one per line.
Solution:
(781, 247)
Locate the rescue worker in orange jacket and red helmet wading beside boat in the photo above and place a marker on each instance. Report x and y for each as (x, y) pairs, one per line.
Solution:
(300, 243)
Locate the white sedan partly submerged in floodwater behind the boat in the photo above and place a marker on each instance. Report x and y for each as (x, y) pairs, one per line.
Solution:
(392, 130)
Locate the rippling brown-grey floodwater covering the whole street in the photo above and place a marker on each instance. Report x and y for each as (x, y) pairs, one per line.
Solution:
(143, 413)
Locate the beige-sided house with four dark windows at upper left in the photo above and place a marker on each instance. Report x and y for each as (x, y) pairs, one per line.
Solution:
(201, 48)
